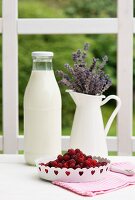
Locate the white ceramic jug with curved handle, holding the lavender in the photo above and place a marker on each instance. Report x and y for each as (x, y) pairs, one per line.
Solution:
(88, 132)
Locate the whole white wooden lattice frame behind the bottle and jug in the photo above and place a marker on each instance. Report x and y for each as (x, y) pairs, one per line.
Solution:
(123, 26)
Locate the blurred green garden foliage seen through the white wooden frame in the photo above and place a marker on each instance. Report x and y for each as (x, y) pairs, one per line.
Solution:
(63, 46)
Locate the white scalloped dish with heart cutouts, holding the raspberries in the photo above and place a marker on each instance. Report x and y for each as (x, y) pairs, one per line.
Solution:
(73, 175)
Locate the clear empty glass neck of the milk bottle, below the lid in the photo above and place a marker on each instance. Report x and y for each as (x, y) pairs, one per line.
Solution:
(42, 64)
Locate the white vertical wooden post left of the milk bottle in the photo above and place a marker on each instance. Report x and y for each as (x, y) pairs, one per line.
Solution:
(10, 75)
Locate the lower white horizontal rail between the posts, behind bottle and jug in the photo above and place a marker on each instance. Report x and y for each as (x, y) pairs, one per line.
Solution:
(111, 143)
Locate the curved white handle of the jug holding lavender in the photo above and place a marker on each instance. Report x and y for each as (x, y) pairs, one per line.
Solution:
(114, 112)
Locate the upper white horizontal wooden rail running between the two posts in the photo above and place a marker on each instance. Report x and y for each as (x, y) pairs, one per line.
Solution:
(67, 26)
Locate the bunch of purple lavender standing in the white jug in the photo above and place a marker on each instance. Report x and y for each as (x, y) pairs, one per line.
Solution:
(84, 78)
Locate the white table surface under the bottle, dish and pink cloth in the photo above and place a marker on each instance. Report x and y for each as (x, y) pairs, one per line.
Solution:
(19, 181)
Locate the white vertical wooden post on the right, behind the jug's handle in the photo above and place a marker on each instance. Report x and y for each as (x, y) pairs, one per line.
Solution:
(125, 75)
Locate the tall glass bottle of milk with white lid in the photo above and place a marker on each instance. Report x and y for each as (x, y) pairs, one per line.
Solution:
(42, 110)
